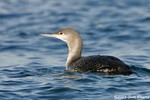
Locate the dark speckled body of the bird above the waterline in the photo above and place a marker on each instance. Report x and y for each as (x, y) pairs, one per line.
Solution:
(104, 64)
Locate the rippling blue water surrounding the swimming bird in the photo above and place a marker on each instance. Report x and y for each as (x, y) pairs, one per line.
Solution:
(33, 67)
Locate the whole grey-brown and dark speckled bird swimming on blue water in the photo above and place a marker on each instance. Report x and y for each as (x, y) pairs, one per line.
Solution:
(95, 63)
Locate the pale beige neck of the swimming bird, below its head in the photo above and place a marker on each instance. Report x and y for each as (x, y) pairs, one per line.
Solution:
(75, 50)
